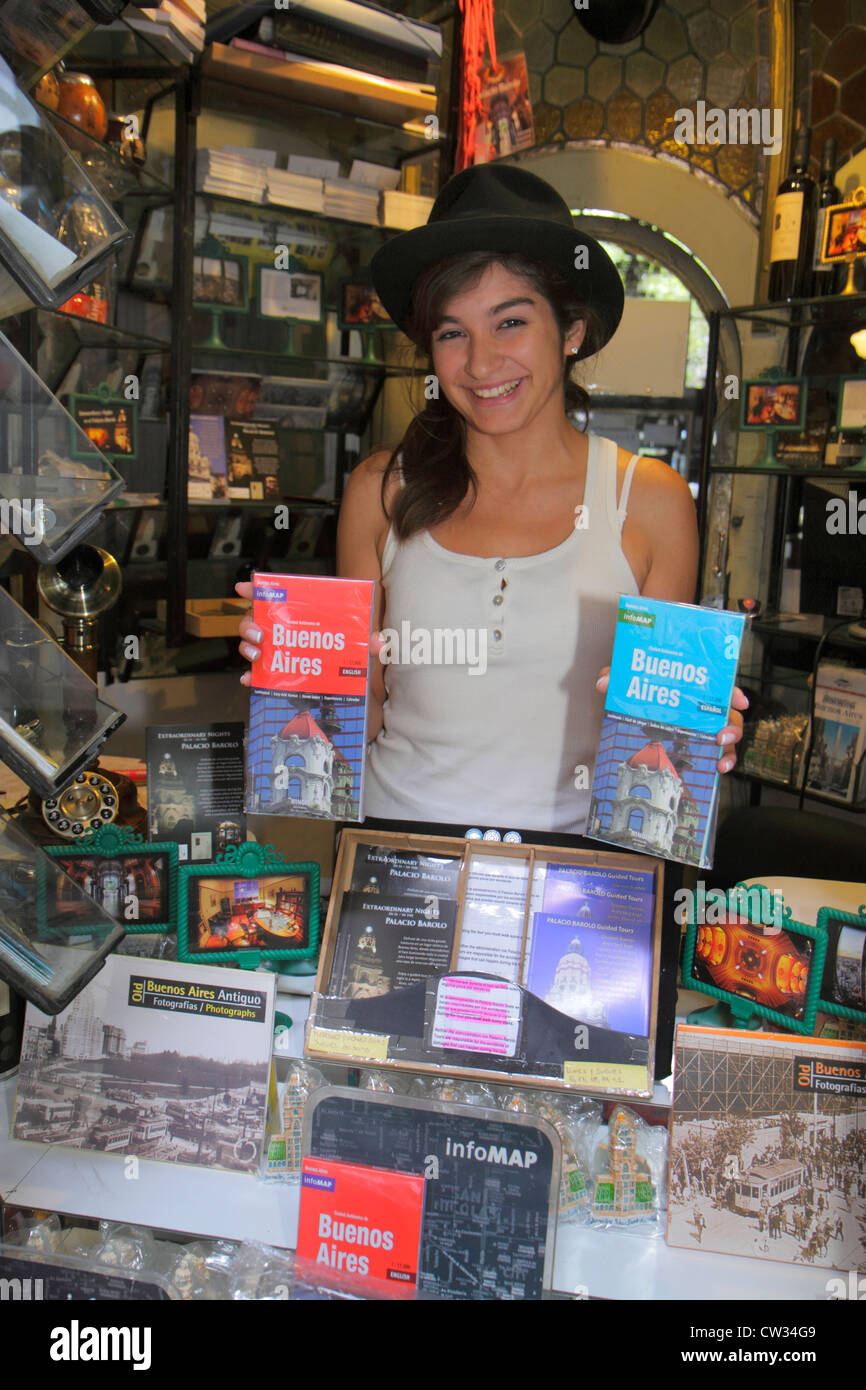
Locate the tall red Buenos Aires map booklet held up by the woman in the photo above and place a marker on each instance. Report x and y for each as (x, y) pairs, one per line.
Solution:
(309, 697)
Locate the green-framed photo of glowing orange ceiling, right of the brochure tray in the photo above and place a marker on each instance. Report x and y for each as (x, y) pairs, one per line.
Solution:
(772, 971)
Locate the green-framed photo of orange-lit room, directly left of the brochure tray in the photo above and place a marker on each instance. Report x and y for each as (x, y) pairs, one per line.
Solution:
(247, 908)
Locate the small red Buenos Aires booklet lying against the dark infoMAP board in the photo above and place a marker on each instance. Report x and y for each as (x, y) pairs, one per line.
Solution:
(361, 1221)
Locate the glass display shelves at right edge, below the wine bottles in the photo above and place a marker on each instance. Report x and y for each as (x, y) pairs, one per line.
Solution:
(783, 466)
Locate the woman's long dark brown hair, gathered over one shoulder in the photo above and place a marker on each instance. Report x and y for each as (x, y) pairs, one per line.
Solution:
(432, 455)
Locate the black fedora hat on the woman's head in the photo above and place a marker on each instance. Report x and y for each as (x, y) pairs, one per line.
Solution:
(501, 208)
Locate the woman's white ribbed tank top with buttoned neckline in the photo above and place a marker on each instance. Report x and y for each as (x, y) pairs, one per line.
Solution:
(501, 747)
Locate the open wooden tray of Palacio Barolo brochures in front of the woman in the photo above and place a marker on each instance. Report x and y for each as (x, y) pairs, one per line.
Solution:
(491, 961)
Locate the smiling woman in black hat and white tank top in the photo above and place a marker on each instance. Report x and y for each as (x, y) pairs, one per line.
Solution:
(471, 523)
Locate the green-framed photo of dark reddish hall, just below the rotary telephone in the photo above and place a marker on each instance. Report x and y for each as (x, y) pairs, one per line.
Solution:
(131, 879)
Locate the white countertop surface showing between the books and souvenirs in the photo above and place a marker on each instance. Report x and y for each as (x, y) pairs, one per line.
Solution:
(607, 1264)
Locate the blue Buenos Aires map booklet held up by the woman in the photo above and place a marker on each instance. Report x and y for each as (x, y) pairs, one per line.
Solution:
(672, 676)
